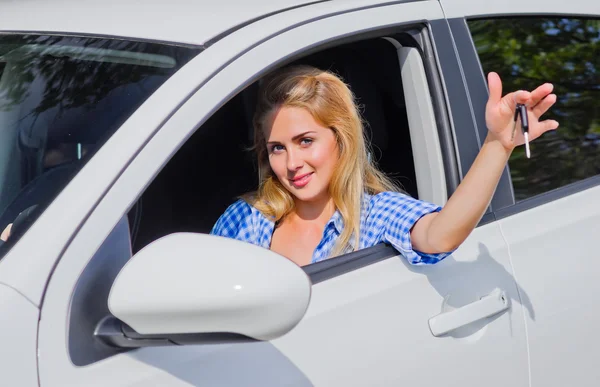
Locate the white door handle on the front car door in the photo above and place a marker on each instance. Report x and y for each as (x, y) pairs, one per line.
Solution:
(487, 306)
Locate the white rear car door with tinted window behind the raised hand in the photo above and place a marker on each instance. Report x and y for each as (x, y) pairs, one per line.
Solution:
(550, 215)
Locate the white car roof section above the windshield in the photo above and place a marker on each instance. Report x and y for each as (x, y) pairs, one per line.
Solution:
(182, 21)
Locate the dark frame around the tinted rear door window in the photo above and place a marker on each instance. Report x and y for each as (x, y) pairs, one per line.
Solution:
(503, 202)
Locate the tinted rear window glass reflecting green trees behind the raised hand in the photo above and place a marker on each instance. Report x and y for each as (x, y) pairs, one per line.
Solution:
(527, 52)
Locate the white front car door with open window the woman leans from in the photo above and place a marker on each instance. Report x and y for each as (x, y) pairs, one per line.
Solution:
(370, 317)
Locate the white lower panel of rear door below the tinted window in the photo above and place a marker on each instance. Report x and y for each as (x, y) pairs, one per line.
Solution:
(555, 256)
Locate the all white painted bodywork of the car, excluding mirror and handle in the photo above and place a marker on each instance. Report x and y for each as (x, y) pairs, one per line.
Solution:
(336, 342)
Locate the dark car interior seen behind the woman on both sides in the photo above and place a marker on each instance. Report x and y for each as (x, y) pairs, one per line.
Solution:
(215, 166)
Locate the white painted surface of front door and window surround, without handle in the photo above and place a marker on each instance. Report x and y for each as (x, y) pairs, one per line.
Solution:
(335, 340)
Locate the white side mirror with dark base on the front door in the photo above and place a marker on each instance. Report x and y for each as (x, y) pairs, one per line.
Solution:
(189, 288)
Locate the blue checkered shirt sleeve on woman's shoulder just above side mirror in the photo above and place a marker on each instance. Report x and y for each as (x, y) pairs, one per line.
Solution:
(236, 223)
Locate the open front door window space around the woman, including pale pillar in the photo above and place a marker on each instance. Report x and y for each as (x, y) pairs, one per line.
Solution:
(214, 167)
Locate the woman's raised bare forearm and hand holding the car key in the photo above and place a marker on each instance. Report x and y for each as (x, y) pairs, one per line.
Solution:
(446, 230)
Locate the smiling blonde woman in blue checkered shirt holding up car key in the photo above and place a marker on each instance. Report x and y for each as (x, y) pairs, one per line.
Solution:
(320, 195)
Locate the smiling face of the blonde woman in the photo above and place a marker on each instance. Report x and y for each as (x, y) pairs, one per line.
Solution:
(302, 153)
